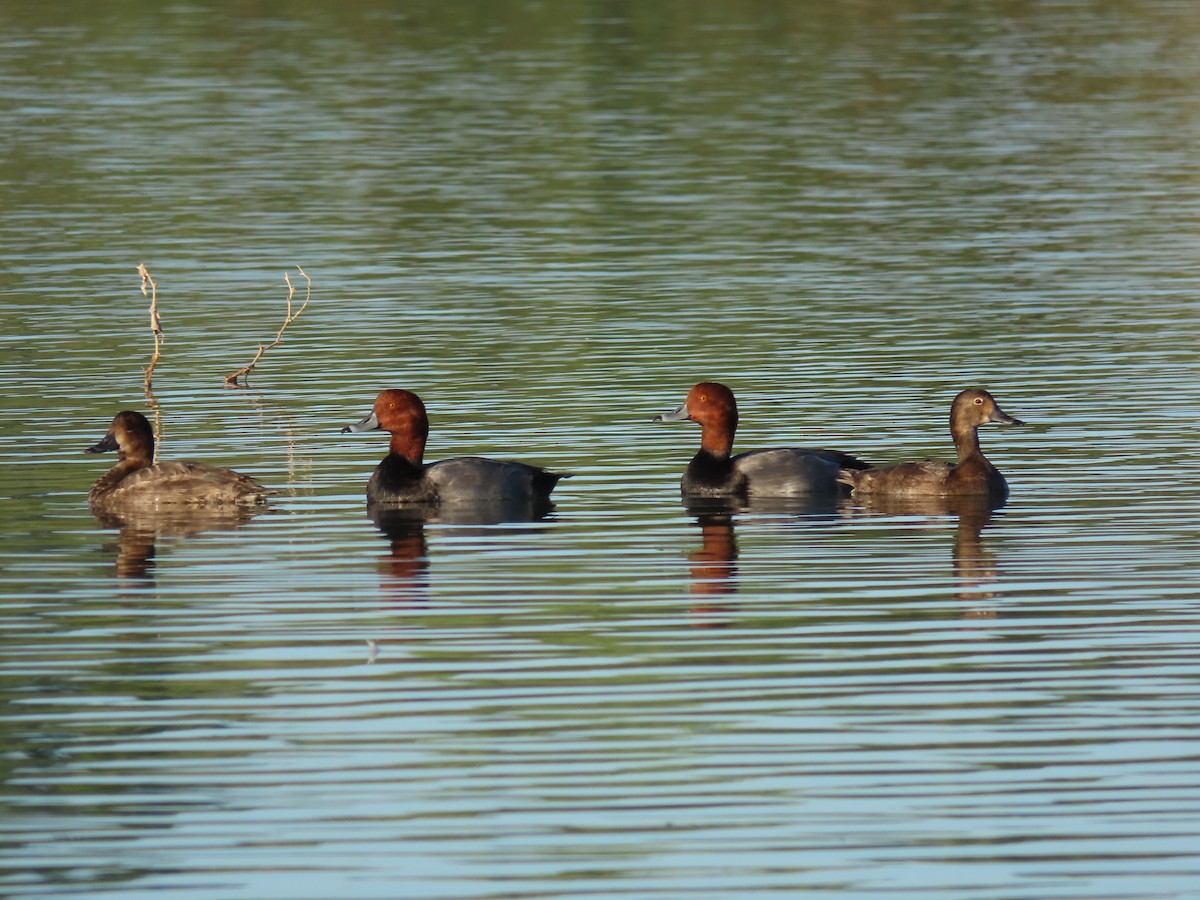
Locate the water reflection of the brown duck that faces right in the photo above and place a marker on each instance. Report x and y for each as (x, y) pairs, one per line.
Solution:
(974, 565)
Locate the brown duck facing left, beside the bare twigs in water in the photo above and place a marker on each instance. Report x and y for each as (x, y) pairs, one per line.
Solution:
(136, 484)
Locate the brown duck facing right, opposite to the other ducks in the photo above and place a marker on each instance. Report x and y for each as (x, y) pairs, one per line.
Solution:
(973, 476)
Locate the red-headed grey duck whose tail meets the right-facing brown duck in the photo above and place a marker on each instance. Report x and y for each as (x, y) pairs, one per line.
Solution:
(713, 472)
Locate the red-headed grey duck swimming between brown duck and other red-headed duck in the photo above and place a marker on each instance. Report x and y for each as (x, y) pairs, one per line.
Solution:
(403, 478)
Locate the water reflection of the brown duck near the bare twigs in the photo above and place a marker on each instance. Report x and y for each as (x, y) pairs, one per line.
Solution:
(140, 535)
